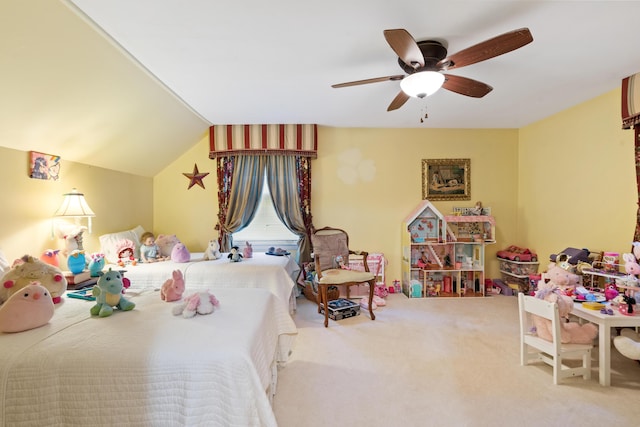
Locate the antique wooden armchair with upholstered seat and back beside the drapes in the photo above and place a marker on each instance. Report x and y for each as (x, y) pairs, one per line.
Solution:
(328, 245)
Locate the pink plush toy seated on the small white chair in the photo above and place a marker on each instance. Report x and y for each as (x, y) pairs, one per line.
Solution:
(561, 279)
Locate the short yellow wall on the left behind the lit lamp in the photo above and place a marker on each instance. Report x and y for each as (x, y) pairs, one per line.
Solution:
(121, 201)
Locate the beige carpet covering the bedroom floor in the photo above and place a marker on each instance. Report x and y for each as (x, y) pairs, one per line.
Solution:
(438, 362)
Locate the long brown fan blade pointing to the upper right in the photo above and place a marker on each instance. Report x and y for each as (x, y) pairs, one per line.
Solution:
(488, 49)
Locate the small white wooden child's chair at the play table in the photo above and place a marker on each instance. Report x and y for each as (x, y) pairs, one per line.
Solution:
(549, 352)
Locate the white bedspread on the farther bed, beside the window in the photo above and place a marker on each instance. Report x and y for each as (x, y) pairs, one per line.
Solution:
(274, 273)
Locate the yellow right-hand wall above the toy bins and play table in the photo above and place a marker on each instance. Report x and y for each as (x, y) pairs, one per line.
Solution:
(577, 180)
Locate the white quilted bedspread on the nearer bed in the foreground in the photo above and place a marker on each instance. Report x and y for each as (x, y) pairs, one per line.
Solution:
(147, 366)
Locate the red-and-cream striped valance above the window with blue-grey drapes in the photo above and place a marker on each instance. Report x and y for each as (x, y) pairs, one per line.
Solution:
(299, 140)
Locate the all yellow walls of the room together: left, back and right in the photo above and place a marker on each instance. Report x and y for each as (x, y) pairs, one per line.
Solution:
(568, 180)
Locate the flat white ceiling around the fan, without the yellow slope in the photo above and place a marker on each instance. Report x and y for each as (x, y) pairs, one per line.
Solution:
(256, 61)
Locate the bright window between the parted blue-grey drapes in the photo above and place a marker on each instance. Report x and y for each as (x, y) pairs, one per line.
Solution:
(266, 228)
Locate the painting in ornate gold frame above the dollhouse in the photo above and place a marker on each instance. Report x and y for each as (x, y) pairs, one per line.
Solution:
(446, 179)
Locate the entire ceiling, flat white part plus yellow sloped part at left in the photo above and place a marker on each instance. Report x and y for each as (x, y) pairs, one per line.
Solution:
(130, 85)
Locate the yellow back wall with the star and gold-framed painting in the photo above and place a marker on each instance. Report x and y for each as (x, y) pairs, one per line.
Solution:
(372, 207)
